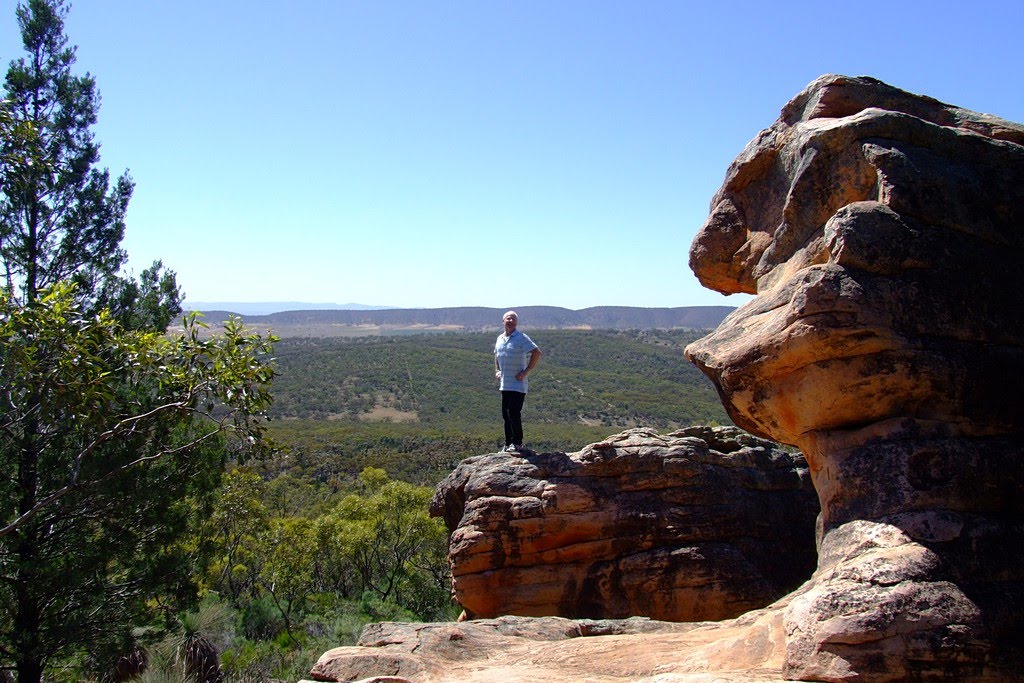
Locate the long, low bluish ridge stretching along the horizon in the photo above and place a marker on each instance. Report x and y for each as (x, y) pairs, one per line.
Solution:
(479, 318)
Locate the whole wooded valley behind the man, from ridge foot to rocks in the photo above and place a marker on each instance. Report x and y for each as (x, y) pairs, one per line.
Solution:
(415, 406)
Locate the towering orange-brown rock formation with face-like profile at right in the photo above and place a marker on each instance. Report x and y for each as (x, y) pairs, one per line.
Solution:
(883, 233)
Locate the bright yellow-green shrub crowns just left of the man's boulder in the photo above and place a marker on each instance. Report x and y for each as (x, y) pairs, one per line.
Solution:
(378, 537)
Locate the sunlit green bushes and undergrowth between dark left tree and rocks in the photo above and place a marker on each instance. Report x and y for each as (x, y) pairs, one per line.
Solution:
(302, 584)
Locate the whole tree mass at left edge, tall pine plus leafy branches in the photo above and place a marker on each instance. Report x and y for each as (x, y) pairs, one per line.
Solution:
(113, 436)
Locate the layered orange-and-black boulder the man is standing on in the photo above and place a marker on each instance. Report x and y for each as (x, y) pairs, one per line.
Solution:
(704, 524)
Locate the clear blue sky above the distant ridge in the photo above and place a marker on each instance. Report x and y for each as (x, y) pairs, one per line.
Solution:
(455, 153)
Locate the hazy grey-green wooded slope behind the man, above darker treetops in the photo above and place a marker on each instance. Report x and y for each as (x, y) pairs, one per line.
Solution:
(586, 377)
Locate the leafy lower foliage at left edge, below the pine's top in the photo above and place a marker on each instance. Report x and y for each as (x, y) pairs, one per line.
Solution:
(111, 442)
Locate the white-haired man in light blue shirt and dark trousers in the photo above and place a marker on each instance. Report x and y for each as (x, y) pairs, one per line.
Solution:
(516, 357)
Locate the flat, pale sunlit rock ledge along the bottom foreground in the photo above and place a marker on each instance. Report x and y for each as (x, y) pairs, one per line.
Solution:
(561, 651)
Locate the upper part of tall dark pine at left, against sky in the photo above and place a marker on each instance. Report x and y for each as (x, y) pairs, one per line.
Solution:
(61, 219)
